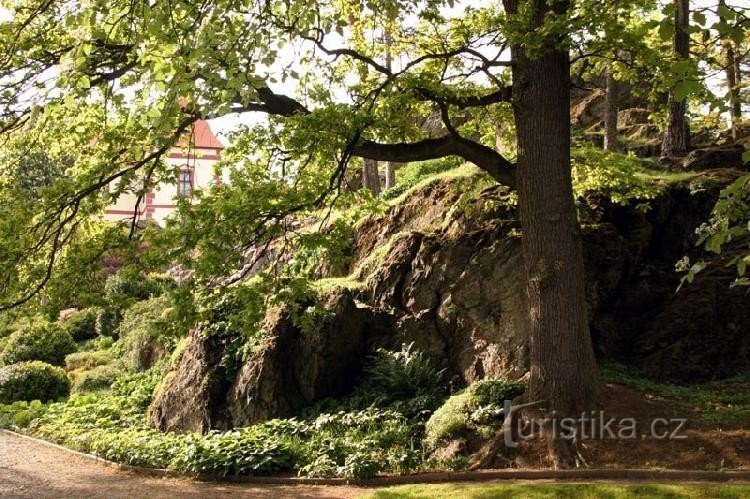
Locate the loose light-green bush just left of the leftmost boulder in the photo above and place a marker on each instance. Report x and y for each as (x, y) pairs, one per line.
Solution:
(145, 333)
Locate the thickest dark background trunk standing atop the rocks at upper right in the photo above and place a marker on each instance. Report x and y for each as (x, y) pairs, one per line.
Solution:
(677, 136)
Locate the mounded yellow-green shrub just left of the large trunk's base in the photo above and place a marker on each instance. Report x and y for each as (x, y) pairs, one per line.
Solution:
(470, 409)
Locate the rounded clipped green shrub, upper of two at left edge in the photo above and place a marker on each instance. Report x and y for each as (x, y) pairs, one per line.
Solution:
(44, 341)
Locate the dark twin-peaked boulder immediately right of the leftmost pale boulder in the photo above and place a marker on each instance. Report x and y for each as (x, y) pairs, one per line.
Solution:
(297, 367)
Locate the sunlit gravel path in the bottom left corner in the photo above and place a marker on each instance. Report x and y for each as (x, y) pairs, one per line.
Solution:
(29, 469)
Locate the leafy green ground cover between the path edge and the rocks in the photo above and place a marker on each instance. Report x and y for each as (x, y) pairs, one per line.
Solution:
(353, 443)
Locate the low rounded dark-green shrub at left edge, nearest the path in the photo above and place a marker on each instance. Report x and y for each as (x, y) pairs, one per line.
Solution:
(32, 381)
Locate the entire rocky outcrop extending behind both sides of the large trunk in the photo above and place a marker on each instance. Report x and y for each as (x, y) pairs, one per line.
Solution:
(451, 281)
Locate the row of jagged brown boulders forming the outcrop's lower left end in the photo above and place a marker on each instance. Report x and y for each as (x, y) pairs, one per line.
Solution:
(294, 368)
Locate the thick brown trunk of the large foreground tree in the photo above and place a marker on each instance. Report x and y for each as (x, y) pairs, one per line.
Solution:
(563, 367)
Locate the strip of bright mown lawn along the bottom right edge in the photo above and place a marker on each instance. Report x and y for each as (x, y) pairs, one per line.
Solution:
(572, 490)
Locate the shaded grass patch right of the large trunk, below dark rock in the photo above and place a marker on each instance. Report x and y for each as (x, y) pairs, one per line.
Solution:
(723, 401)
